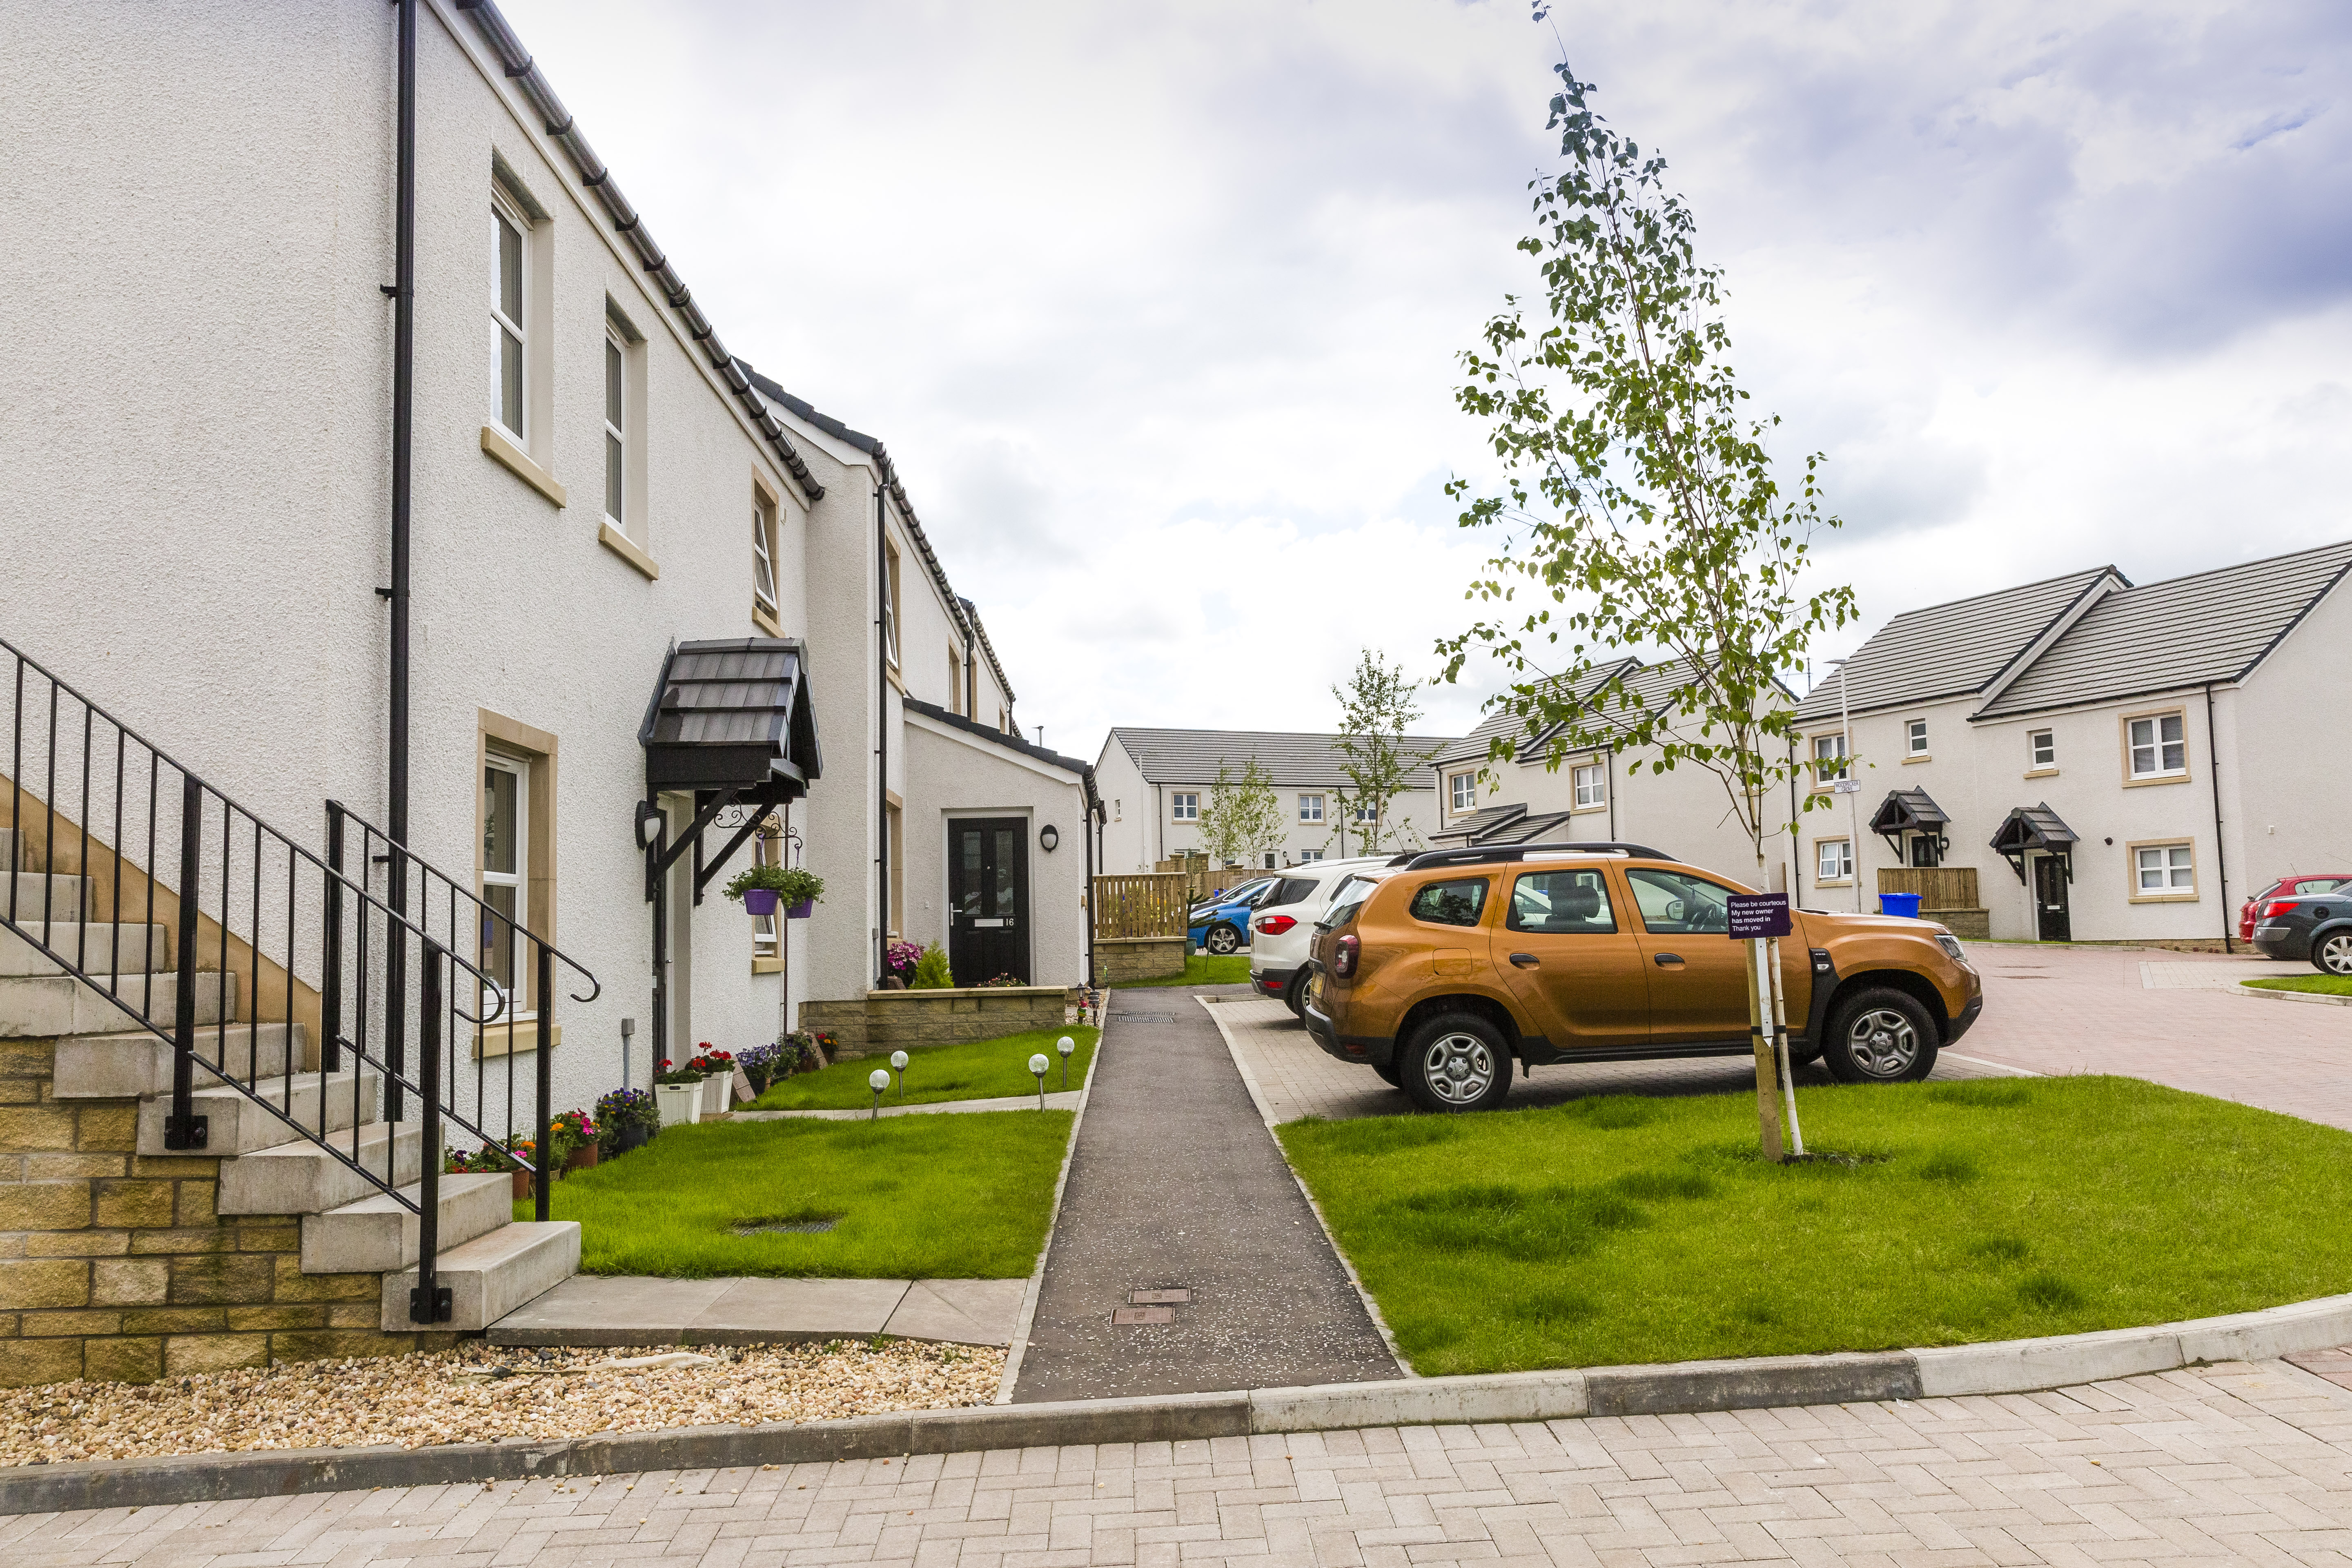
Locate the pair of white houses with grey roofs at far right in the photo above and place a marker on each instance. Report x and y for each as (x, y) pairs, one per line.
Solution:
(2109, 763)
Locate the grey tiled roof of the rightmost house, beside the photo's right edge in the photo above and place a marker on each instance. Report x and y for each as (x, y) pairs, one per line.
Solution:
(2212, 626)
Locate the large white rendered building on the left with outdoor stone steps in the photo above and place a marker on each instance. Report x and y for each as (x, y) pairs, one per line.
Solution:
(422, 485)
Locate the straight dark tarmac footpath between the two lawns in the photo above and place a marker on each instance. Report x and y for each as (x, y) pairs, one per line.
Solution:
(1177, 1186)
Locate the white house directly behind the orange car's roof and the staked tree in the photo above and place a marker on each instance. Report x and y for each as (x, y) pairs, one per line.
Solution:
(1601, 793)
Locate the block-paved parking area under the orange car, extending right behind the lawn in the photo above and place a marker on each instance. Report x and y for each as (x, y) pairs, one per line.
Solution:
(2160, 1017)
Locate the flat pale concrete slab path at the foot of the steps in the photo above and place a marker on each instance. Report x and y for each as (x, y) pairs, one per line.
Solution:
(639, 1311)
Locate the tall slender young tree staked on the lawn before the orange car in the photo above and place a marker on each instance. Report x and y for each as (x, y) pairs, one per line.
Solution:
(1638, 502)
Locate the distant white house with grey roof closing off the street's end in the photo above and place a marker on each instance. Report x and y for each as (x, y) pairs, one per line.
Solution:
(1154, 786)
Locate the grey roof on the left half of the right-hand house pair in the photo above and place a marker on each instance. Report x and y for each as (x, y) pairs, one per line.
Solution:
(1951, 650)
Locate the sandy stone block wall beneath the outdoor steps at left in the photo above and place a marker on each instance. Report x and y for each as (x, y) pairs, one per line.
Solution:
(114, 1266)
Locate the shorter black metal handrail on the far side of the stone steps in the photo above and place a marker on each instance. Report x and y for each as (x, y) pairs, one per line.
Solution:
(420, 890)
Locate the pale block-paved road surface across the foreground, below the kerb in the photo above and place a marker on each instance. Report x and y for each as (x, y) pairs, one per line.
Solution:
(2214, 1466)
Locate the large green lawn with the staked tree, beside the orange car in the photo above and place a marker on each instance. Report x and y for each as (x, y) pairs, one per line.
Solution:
(1624, 1231)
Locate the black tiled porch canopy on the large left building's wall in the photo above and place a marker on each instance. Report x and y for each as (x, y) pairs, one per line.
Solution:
(733, 723)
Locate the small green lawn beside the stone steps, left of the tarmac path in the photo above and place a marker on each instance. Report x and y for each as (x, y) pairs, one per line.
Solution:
(916, 1198)
